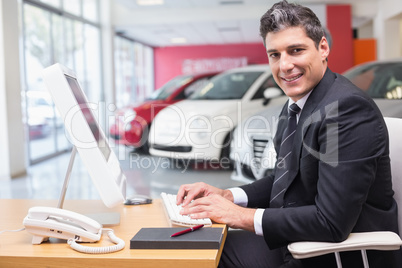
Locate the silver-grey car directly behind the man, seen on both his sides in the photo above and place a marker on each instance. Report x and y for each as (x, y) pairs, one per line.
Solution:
(252, 150)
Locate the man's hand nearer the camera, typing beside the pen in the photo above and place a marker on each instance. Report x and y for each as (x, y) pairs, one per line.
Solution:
(220, 210)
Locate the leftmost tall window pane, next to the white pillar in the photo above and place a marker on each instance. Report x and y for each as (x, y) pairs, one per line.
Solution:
(39, 109)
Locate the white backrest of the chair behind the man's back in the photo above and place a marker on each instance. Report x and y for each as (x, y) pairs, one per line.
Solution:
(394, 126)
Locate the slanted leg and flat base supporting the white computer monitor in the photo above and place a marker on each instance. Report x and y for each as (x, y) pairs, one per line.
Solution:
(105, 218)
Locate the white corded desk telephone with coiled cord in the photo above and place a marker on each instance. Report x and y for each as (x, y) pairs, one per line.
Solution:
(45, 222)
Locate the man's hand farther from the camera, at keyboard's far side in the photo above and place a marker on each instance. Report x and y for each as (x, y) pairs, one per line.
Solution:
(189, 192)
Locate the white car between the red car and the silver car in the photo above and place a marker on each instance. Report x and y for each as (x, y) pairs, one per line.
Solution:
(201, 127)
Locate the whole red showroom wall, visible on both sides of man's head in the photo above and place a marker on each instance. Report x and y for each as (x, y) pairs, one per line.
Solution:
(168, 60)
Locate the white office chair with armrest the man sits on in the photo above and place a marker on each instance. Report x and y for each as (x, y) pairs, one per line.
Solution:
(368, 240)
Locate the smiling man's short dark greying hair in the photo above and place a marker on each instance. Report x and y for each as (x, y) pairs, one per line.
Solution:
(283, 15)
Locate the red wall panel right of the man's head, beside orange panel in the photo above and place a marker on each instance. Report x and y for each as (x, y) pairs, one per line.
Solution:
(339, 23)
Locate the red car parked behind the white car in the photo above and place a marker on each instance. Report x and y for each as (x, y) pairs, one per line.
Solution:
(132, 123)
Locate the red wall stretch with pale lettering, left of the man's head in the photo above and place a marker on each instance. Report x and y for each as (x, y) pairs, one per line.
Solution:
(168, 60)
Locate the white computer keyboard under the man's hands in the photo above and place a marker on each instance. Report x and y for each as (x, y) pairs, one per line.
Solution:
(169, 201)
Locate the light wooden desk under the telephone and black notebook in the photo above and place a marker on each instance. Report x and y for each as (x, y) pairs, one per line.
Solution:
(16, 249)
